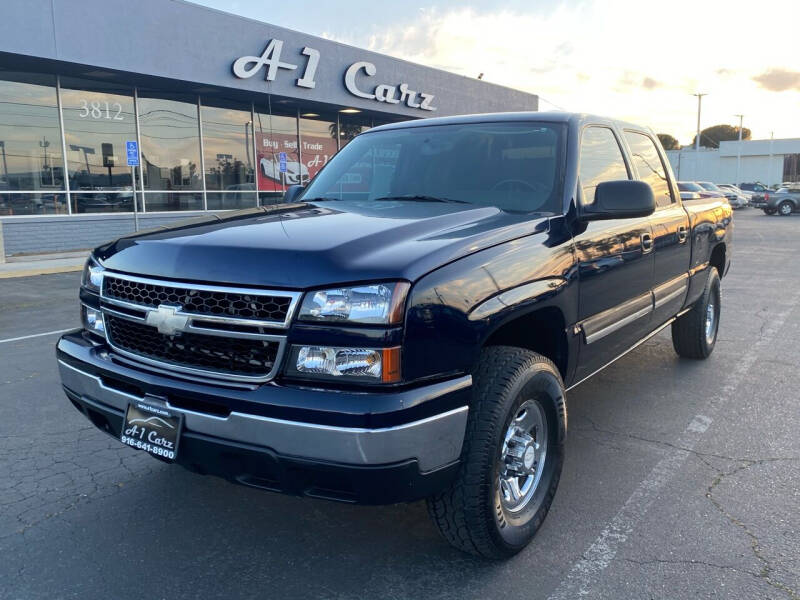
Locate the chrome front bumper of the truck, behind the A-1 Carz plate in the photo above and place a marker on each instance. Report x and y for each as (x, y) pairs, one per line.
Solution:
(434, 441)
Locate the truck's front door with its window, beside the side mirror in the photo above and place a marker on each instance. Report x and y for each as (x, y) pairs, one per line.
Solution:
(615, 261)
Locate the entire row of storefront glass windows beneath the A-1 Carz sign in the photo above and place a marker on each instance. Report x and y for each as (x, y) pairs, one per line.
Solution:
(197, 152)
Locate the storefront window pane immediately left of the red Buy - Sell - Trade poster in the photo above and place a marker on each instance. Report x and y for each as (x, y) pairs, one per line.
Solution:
(228, 154)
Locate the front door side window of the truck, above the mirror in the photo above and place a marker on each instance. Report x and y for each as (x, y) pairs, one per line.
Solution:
(601, 160)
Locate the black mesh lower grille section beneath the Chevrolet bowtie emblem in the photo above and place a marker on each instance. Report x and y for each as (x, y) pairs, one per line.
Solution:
(223, 355)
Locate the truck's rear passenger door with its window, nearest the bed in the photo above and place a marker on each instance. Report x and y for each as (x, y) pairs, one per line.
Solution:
(670, 222)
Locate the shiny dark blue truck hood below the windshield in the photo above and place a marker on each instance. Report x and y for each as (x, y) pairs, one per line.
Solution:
(307, 245)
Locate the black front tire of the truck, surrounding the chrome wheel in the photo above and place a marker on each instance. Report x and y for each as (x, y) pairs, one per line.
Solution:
(470, 514)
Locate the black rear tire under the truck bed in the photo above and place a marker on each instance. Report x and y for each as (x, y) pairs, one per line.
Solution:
(689, 332)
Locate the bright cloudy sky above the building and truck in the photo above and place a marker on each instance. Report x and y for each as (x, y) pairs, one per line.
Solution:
(636, 60)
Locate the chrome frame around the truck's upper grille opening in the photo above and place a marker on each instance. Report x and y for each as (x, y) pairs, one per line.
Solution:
(294, 299)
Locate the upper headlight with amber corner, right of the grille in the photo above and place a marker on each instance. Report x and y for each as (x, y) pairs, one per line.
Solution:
(381, 303)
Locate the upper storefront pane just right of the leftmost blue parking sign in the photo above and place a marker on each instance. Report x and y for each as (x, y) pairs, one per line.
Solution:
(170, 151)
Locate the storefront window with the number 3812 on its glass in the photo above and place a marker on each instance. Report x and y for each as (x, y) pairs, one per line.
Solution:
(98, 120)
